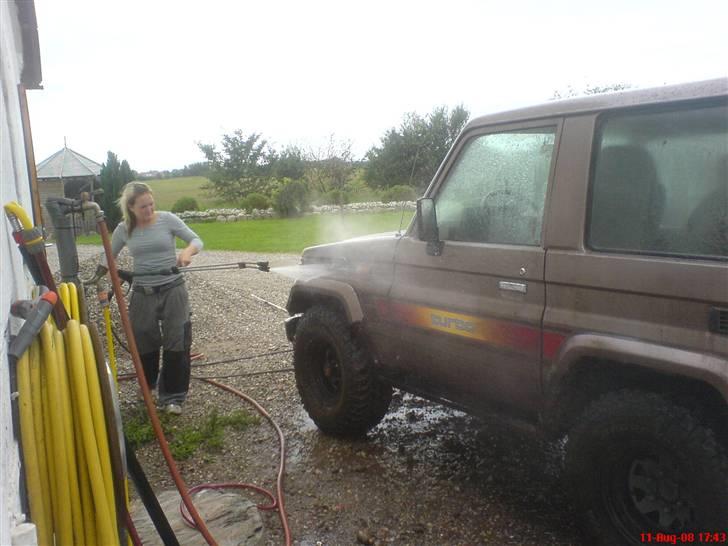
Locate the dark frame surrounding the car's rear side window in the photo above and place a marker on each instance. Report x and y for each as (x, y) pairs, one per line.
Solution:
(600, 122)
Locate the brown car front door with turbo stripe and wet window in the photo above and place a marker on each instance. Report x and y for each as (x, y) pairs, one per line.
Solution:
(465, 325)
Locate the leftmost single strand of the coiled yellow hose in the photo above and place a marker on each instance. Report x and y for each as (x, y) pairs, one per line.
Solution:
(30, 455)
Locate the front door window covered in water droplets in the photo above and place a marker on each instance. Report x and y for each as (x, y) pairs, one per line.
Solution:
(496, 190)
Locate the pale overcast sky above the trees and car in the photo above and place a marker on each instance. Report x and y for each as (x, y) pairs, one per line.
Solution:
(148, 79)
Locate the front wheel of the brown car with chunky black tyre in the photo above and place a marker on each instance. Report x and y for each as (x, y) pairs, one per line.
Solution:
(334, 376)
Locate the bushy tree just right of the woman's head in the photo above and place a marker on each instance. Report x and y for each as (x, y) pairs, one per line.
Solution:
(242, 166)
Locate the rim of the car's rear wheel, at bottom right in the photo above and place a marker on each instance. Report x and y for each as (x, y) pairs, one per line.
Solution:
(648, 492)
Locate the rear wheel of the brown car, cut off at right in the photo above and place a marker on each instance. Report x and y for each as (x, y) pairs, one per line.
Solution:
(638, 465)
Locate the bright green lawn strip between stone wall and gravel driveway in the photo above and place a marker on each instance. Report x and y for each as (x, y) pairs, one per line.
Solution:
(290, 235)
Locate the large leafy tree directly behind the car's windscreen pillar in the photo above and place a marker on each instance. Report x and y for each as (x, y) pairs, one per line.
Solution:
(411, 154)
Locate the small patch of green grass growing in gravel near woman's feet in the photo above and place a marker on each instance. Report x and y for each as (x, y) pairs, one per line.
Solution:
(208, 433)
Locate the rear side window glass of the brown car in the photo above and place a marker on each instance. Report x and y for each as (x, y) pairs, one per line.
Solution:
(660, 183)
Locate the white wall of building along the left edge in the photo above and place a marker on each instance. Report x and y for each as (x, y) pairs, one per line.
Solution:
(14, 283)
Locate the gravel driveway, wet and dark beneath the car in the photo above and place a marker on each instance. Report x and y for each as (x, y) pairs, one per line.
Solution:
(425, 476)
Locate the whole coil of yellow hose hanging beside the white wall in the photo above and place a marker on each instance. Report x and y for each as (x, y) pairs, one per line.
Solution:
(64, 437)
